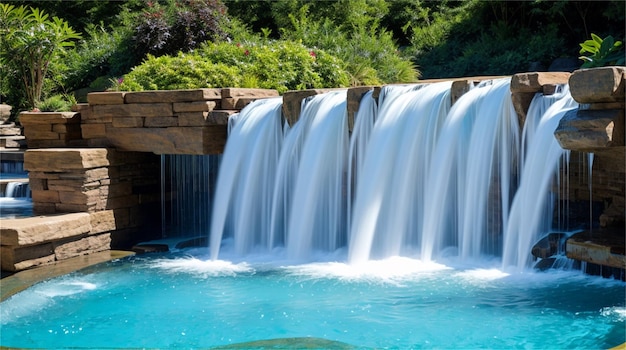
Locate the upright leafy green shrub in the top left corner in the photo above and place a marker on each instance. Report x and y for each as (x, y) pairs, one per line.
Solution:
(31, 41)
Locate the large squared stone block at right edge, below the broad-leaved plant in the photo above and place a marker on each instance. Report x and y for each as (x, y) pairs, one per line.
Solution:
(605, 84)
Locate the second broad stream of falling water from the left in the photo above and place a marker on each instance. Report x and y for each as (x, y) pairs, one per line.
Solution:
(317, 218)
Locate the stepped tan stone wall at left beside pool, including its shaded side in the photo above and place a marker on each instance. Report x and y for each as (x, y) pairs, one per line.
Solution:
(93, 200)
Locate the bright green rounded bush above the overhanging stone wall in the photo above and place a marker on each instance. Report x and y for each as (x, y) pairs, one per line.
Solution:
(276, 65)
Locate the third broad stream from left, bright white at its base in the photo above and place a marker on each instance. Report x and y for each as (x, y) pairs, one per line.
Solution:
(389, 190)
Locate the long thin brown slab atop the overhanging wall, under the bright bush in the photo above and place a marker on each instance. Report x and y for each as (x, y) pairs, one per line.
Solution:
(172, 96)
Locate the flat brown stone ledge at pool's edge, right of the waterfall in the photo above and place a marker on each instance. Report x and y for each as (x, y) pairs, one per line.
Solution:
(602, 247)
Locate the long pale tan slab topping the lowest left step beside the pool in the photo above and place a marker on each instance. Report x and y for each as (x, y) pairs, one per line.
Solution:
(33, 230)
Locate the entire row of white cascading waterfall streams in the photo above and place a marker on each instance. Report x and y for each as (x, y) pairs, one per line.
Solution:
(417, 176)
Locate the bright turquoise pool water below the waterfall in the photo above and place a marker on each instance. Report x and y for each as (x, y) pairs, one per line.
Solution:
(184, 300)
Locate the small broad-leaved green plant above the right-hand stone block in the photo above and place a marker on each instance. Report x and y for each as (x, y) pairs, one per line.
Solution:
(601, 52)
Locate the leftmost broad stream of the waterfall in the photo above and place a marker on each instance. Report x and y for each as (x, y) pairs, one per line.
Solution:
(242, 204)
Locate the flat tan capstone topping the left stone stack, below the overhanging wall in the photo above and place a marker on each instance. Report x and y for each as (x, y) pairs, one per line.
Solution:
(63, 159)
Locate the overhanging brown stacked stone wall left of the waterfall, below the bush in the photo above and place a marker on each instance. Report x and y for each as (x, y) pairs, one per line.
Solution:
(164, 122)
